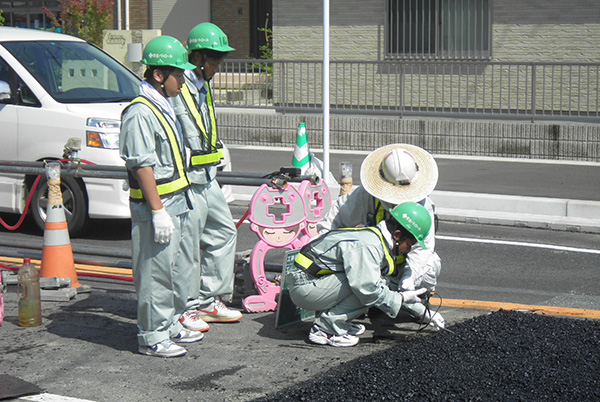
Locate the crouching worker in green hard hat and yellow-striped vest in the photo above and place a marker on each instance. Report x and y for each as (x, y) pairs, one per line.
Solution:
(341, 274)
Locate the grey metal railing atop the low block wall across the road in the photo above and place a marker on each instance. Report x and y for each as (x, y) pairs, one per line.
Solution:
(444, 88)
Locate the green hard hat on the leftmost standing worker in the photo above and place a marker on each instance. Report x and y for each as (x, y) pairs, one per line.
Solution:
(166, 51)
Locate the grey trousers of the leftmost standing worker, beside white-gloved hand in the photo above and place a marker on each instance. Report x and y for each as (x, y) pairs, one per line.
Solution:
(162, 276)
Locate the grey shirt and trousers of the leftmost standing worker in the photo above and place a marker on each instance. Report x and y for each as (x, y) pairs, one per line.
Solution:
(162, 272)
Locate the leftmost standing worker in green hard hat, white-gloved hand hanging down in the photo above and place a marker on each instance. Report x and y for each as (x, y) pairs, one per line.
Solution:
(160, 202)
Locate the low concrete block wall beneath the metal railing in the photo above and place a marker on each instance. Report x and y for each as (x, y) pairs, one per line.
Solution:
(540, 140)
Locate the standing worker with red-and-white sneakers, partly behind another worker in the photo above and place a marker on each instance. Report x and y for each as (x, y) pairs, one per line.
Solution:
(195, 111)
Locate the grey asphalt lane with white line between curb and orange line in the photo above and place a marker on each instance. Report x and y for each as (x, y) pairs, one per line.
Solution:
(479, 262)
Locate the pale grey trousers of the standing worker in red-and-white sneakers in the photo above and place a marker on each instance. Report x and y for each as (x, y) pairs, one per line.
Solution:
(215, 250)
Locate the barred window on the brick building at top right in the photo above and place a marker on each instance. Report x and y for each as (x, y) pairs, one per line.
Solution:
(438, 29)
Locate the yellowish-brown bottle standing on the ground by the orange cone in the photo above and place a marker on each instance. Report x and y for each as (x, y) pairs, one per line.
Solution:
(30, 305)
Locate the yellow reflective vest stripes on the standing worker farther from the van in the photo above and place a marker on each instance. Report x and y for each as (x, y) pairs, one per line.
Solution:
(200, 158)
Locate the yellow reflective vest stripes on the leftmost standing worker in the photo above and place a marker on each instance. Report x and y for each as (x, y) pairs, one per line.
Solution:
(178, 182)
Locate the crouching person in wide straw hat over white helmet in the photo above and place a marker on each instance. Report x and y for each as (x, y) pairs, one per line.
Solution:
(391, 175)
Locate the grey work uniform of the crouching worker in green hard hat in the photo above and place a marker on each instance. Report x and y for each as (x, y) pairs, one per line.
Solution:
(357, 257)
